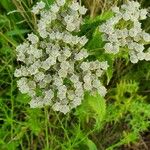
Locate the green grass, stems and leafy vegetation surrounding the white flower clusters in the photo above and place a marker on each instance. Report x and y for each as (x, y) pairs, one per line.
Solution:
(119, 121)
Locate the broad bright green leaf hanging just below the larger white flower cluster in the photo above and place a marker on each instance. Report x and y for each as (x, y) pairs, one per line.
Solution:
(92, 107)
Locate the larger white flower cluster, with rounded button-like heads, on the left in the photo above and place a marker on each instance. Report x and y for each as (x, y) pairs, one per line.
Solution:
(55, 68)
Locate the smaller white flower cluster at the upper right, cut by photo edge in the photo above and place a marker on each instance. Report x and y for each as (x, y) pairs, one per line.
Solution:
(124, 30)
